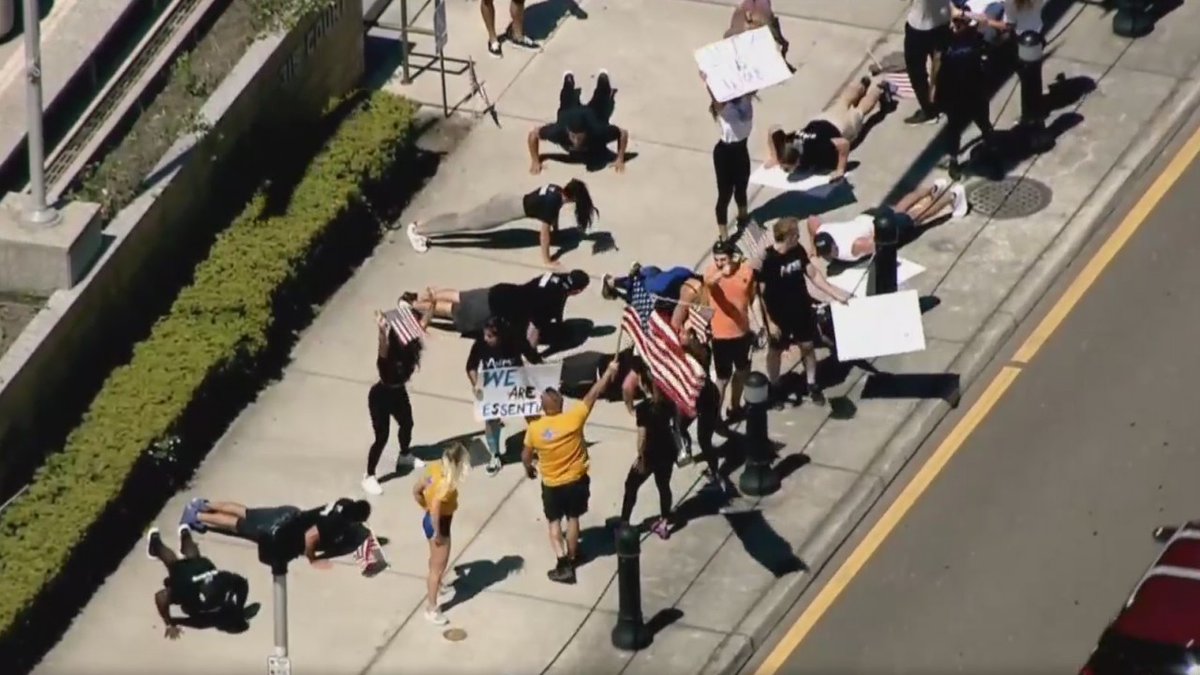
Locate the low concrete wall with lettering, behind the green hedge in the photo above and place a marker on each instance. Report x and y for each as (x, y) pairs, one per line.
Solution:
(281, 79)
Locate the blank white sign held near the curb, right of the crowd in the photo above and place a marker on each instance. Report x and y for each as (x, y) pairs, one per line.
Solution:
(879, 326)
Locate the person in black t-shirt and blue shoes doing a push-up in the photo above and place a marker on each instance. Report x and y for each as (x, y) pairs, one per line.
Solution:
(297, 533)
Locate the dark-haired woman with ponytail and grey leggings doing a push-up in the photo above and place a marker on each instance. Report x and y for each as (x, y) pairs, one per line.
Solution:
(543, 205)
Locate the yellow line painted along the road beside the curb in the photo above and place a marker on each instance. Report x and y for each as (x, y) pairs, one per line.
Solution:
(979, 413)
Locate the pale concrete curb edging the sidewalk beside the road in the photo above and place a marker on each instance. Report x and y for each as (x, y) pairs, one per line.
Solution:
(1057, 259)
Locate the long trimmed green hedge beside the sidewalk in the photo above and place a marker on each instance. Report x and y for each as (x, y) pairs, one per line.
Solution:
(219, 325)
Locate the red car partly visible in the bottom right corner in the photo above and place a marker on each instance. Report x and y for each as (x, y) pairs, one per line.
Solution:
(1159, 629)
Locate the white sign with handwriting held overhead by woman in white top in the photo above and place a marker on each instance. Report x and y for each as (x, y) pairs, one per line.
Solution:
(742, 64)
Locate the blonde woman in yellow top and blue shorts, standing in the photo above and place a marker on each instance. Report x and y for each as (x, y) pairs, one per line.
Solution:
(437, 494)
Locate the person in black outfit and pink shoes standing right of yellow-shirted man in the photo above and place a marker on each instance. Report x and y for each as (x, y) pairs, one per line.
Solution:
(656, 455)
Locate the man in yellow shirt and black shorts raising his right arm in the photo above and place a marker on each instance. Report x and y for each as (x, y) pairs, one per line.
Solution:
(557, 441)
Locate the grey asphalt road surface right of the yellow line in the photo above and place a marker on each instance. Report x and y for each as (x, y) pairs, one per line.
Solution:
(1036, 531)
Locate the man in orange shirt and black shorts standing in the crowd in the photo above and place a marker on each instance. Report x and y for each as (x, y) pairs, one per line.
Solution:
(731, 290)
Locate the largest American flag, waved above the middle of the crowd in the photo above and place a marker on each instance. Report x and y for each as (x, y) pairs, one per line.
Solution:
(677, 374)
